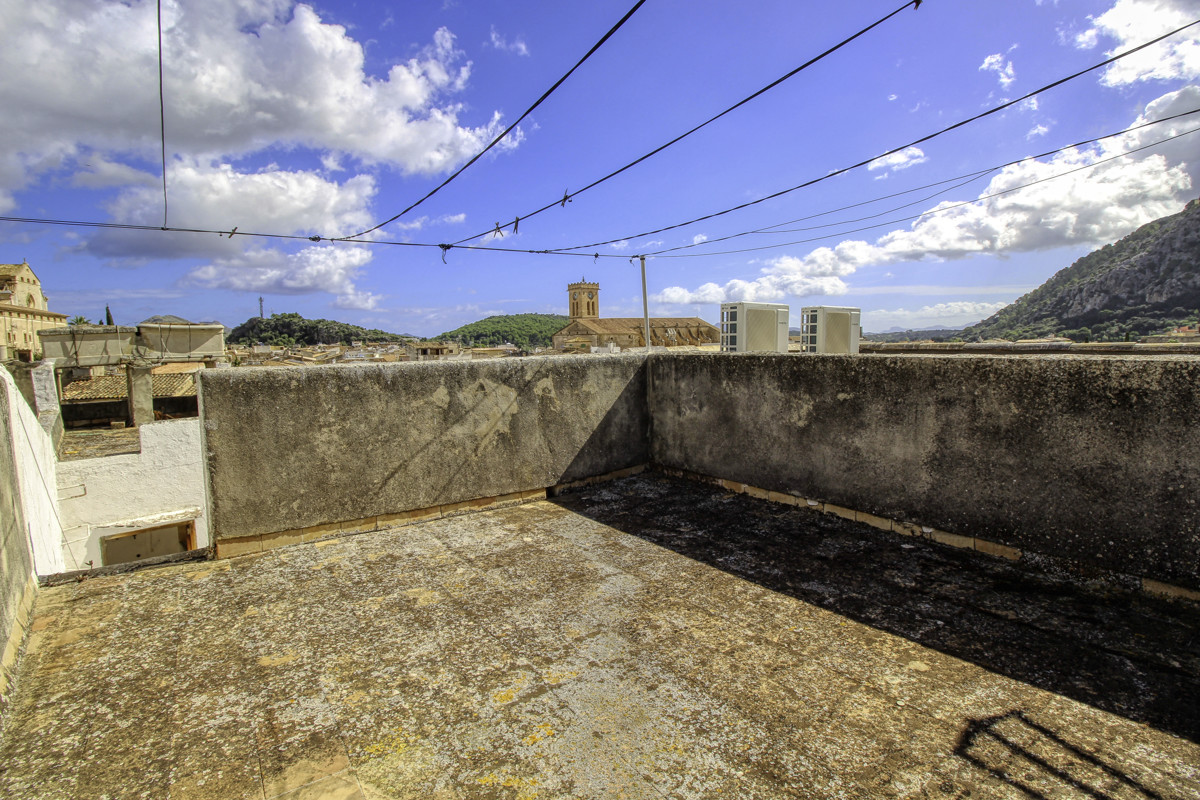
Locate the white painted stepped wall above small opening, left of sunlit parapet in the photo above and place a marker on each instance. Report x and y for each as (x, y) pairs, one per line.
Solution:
(116, 495)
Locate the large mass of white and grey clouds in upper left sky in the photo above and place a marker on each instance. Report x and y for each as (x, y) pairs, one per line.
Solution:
(241, 79)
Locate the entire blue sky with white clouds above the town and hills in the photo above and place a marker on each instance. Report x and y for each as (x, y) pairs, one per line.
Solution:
(327, 118)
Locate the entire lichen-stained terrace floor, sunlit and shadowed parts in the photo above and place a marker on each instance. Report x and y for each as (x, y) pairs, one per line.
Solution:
(565, 649)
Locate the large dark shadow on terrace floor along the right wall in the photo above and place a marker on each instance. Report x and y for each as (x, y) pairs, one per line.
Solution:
(1124, 653)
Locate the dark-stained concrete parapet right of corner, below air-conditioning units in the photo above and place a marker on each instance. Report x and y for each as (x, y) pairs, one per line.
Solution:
(1088, 459)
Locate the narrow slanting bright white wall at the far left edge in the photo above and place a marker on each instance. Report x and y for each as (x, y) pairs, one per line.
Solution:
(34, 456)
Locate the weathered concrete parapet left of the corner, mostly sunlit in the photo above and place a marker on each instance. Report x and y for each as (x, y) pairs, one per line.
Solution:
(295, 448)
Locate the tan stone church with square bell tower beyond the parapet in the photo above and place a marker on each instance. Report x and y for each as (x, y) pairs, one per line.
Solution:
(589, 330)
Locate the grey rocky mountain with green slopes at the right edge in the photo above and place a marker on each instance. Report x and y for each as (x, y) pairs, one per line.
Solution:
(1145, 284)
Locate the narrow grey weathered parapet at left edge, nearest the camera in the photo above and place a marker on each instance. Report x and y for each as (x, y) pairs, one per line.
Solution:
(17, 580)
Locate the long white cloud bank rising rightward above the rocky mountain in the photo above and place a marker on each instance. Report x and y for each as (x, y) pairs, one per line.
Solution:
(1091, 207)
